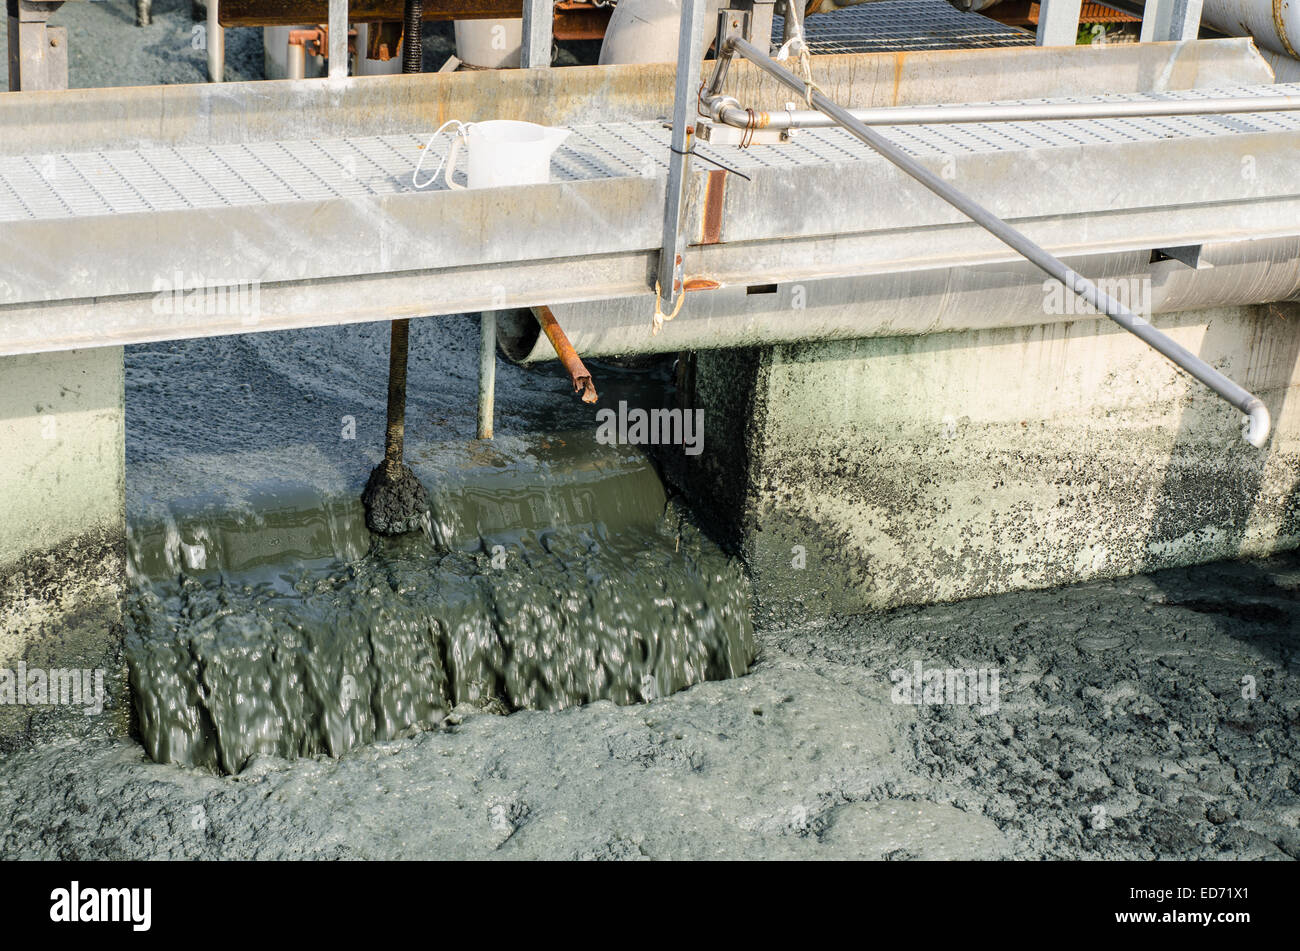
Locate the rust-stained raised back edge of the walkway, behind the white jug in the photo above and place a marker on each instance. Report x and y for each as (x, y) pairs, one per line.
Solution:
(266, 111)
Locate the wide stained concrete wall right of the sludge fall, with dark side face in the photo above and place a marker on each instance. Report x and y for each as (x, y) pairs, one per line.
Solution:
(956, 466)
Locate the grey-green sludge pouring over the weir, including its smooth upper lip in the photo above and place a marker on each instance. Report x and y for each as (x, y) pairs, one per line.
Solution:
(553, 572)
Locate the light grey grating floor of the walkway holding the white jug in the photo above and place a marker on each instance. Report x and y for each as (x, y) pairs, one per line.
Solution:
(363, 168)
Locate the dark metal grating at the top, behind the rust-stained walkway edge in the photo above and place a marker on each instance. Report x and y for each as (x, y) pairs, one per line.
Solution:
(905, 25)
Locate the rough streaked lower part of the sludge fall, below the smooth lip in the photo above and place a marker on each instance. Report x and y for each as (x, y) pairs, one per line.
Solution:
(227, 667)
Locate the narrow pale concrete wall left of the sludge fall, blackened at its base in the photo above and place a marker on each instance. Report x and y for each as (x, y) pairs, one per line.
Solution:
(63, 535)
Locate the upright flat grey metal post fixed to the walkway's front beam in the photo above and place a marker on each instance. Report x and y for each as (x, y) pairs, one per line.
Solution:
(690, 54)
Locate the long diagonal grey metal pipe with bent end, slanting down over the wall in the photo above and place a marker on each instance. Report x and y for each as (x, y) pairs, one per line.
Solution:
(1258, 431)
